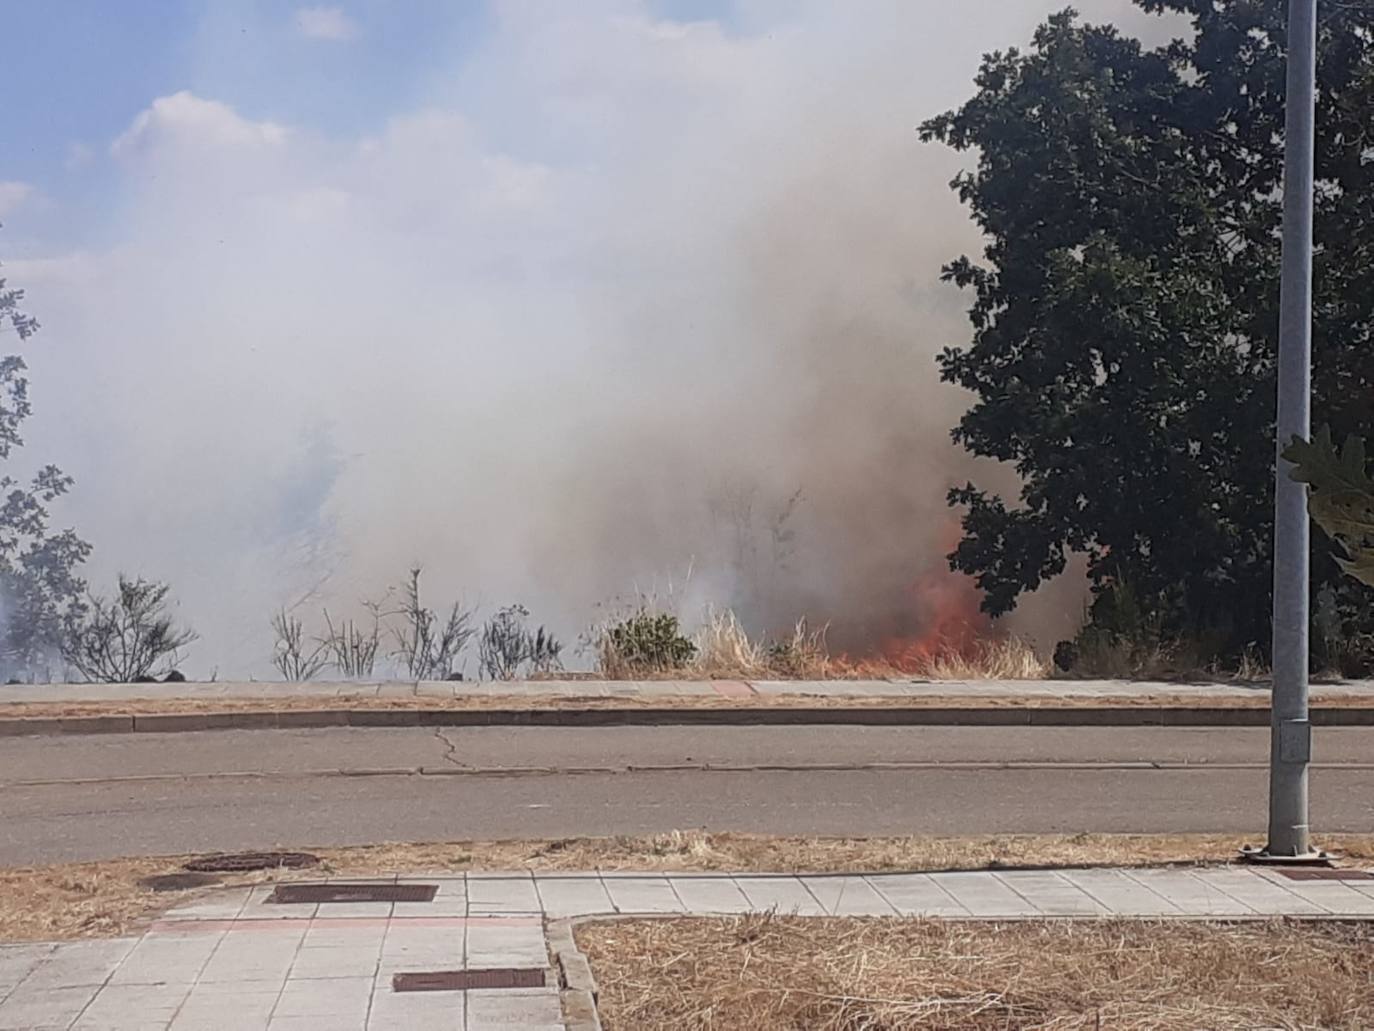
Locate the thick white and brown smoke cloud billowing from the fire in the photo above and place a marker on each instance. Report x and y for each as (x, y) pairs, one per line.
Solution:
(585, 315)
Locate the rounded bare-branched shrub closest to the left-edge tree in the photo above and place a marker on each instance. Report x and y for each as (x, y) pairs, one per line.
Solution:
(130, 637)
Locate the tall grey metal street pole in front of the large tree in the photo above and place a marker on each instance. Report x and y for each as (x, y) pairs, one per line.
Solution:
(1291, 742)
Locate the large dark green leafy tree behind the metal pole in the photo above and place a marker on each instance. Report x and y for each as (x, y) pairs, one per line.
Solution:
(1126, 306)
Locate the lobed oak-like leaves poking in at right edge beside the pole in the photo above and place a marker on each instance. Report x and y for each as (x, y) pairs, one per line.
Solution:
(1340, 497)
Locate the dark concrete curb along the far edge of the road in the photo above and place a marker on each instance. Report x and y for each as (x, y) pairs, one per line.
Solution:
(1104, 716)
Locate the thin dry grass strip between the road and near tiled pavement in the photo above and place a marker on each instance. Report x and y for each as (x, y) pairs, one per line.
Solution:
(98, 900)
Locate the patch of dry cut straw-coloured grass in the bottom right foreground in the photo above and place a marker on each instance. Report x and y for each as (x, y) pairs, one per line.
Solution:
(774, 974)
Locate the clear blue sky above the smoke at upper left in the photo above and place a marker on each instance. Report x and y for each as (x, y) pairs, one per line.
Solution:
(78, 72)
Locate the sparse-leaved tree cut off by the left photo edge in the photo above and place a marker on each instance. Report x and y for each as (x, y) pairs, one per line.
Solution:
(41, 592)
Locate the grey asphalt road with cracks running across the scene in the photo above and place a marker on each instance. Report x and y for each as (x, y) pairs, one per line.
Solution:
(104, 797)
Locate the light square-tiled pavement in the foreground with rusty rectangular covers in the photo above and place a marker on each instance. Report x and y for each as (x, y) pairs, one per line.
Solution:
(233, 962)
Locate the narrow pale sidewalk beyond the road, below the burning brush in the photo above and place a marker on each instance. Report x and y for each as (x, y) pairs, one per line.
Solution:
(663, 691)
